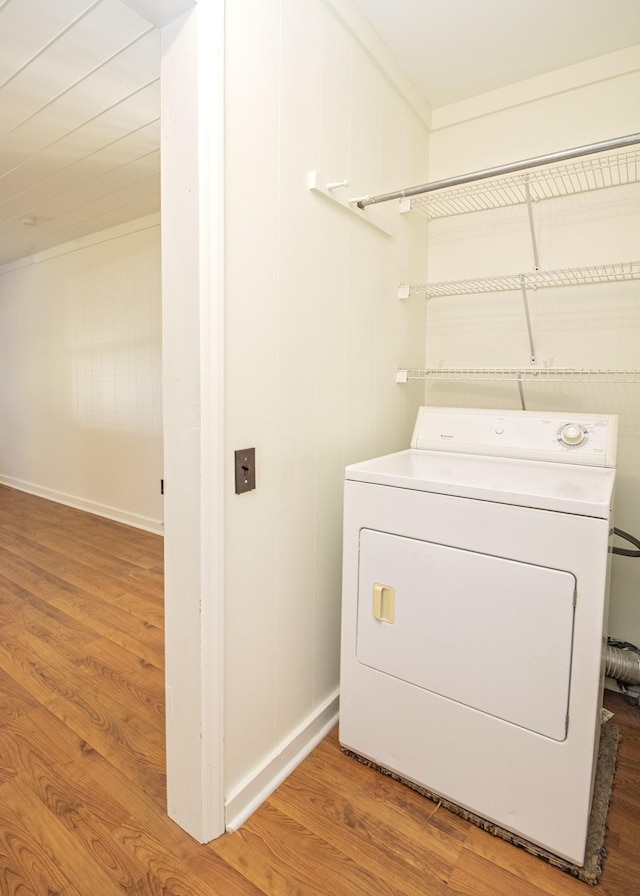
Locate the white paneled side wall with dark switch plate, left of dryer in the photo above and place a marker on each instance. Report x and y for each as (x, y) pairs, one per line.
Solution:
(313, 334)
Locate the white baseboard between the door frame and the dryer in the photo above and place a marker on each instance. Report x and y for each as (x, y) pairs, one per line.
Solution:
(255, 789)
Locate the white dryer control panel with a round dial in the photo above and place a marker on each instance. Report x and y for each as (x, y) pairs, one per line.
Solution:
(589, 439)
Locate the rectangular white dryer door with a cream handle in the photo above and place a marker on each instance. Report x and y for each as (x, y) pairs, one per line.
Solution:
(493, 634)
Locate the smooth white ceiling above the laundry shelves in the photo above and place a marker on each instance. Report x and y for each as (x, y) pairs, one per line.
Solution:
(455, 49)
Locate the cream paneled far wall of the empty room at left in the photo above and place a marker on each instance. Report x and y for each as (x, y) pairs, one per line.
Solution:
(80, 374)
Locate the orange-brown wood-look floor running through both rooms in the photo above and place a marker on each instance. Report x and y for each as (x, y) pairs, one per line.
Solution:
(82, 791)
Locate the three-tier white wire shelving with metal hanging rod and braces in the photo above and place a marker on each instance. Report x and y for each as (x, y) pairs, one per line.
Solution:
(595, 166)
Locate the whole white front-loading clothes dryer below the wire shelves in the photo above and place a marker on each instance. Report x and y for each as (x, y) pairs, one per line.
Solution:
(474, 614)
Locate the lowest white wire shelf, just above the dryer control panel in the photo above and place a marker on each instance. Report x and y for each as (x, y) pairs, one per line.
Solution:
(519, 374)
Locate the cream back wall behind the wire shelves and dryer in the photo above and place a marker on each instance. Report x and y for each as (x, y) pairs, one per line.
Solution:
(587, 327)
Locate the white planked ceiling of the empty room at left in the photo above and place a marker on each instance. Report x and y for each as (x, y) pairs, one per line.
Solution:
(79, 120)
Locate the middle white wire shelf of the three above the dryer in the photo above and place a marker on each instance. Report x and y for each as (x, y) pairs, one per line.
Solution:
(601, 273)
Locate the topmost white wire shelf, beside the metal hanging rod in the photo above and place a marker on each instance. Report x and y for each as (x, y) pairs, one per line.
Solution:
(578, 176)
